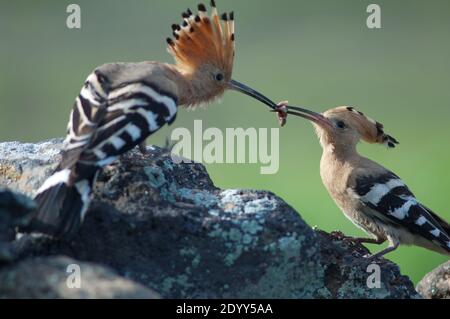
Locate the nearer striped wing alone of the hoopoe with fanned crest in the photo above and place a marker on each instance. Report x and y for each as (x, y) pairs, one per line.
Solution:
(134, 111)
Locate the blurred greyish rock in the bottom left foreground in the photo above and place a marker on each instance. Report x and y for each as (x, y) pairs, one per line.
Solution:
(57, 280)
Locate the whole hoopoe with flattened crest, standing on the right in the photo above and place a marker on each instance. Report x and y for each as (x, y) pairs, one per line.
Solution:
(372, 197)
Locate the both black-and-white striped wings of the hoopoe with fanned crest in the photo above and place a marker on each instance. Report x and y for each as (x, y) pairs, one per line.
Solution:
(106, 123)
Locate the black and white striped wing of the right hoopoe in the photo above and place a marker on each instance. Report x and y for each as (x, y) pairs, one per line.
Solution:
(396, 205)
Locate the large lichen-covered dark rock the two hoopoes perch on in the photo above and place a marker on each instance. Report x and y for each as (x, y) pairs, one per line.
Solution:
(166, 226)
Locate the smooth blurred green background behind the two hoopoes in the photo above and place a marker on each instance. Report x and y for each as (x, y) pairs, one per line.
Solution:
(318, 54)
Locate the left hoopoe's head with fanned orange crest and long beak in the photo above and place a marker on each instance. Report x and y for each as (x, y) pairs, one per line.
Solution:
(204, 47)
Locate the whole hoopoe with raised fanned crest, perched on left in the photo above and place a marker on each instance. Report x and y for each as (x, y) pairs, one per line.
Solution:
(122, 104)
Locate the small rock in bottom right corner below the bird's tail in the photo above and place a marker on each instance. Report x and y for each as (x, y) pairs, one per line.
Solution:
(436, 284)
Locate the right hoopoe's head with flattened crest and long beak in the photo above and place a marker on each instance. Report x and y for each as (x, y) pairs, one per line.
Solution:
(344, 127)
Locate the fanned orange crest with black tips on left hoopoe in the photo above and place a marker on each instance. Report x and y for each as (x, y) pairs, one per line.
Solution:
(203, 38)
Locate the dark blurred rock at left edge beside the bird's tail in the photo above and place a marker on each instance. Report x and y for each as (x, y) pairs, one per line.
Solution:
(15, 211)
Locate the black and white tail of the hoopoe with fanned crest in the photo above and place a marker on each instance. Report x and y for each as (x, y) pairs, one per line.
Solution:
(62, 203)
